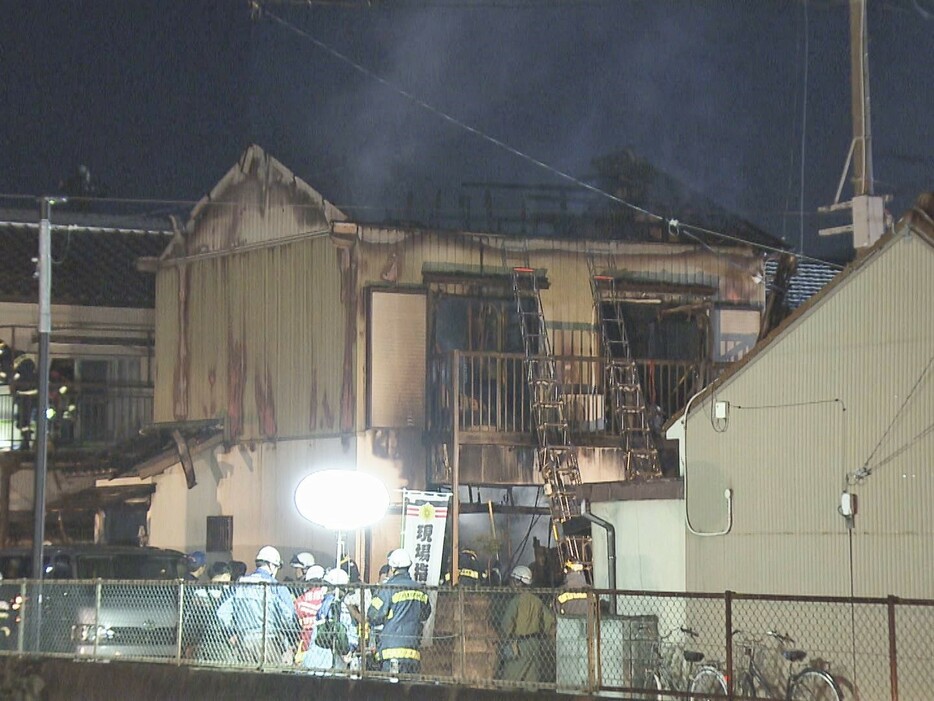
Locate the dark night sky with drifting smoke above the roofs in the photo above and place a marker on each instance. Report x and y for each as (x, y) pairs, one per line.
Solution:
(159, 99)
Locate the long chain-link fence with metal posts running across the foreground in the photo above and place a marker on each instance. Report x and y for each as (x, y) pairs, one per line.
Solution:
(626, 643)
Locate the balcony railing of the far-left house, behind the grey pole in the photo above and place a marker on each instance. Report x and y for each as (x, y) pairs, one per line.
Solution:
(85, 415)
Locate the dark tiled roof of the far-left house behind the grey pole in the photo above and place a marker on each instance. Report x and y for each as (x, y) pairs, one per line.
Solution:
(93, 258)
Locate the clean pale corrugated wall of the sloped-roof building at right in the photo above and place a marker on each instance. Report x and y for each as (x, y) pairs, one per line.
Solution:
(787, 446)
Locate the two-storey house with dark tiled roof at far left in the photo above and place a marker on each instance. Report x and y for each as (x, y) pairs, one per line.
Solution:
(101, 347)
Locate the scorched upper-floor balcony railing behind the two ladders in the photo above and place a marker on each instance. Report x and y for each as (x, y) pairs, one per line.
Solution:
(494, 395)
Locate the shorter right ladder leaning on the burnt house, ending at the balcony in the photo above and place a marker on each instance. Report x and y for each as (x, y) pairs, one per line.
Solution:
(625, 398)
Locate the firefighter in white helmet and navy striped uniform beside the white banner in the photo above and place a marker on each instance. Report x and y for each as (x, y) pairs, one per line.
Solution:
(401, 607)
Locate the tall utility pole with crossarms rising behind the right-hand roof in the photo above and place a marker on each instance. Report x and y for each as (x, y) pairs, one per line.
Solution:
(868, 209)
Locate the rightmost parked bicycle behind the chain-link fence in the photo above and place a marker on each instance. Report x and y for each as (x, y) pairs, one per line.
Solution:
(809, 684)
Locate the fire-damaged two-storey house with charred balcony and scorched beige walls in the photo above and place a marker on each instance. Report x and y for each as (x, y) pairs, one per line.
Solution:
(322, 342)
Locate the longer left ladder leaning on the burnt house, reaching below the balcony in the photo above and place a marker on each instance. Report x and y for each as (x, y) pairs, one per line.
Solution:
(557, 457)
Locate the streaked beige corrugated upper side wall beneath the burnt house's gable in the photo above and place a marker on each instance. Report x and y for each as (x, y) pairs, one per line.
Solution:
(256, 336)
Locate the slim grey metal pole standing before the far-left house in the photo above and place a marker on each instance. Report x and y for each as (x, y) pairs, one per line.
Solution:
(44, 264)
